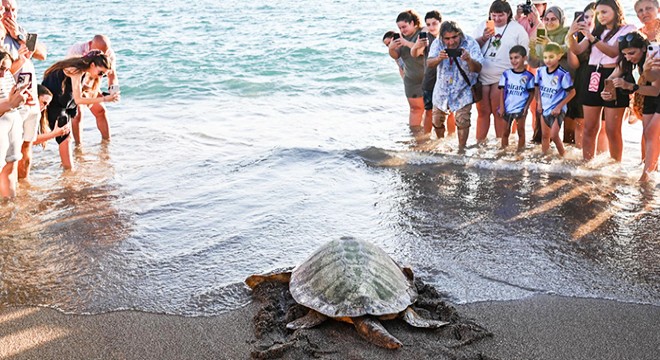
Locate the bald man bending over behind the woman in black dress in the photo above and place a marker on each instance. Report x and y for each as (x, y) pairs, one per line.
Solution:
(98, 42)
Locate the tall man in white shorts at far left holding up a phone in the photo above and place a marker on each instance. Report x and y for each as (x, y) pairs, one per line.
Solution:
(15, 43)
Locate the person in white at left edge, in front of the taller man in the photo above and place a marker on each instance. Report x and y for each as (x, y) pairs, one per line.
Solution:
(11, 126)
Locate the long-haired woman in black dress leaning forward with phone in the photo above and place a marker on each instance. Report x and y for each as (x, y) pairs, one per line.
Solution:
(69, 80)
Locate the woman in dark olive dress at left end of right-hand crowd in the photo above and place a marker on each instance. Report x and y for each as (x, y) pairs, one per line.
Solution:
(410, 26)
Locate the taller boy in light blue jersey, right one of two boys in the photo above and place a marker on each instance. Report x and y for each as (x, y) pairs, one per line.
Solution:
(555, 91)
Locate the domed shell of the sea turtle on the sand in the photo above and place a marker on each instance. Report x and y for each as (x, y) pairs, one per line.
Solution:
(350, 278)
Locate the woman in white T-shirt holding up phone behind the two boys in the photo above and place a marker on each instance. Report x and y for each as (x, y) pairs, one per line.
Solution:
(496, 37)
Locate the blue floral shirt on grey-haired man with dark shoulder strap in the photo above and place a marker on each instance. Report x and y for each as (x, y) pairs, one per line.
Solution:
(451, 91)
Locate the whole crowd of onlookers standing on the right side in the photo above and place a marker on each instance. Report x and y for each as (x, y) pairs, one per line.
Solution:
(586, 75)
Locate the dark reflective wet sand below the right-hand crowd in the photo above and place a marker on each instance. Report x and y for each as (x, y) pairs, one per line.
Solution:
(508, 233)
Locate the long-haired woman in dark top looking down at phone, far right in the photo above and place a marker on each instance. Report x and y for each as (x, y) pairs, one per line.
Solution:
(633, 52)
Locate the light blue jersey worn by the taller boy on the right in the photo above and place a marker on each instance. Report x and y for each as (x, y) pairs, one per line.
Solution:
(553, 87)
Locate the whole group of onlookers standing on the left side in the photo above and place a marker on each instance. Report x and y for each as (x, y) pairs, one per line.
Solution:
(33, 113)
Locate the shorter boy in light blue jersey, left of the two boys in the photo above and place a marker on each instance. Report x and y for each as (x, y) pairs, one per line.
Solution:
(518, 91)
